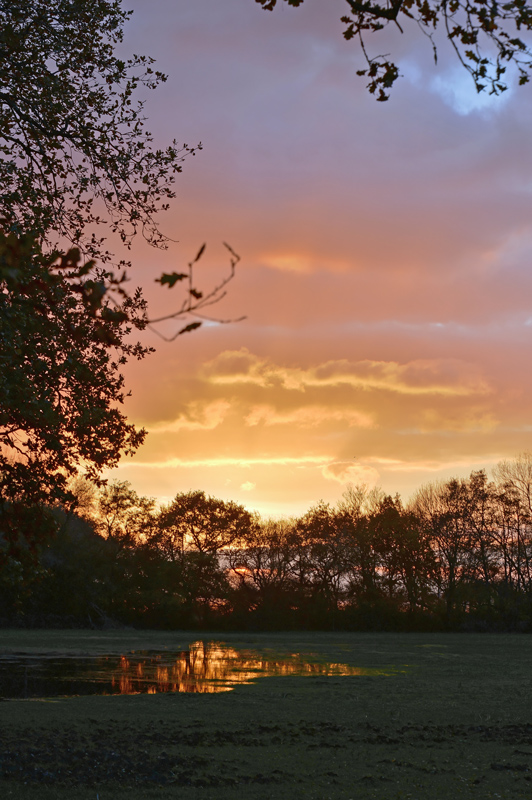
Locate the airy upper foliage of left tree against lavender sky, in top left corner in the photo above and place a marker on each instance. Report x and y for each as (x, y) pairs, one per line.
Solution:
(74, 148)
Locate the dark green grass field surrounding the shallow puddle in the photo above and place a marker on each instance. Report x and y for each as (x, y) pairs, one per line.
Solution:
(456, 723)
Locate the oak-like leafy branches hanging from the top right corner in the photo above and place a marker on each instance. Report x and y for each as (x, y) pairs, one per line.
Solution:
(487, 37)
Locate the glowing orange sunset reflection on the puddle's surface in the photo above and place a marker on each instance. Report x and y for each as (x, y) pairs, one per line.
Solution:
(209, 667)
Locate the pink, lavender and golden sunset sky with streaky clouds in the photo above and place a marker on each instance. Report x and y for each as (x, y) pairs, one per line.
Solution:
(385, 271)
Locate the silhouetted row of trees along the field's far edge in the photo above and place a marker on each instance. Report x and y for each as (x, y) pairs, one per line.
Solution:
(457, 556)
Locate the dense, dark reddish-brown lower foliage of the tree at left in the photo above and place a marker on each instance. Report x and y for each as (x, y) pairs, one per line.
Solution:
(61, 351)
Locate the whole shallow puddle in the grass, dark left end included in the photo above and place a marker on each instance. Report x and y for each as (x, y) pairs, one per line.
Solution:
(205, 667)
